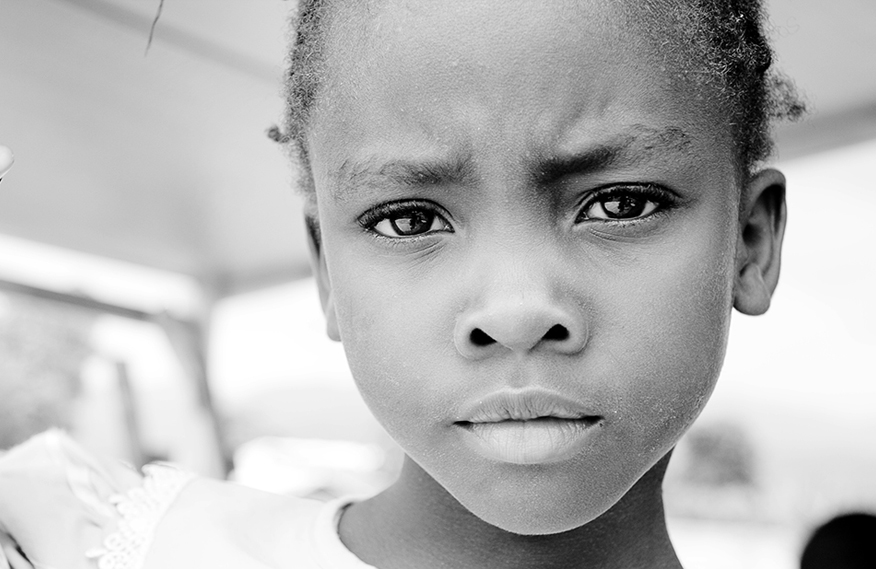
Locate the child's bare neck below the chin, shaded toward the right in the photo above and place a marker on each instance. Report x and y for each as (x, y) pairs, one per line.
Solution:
(417, 524)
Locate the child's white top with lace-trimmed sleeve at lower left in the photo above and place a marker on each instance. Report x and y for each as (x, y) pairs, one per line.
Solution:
(67, 509)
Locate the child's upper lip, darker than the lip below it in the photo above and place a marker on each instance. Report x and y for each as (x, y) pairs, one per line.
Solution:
(523, 405)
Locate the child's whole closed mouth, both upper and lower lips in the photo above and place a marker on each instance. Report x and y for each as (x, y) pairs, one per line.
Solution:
(531, 426)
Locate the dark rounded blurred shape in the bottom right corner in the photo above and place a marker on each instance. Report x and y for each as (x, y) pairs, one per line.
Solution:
(845, 542)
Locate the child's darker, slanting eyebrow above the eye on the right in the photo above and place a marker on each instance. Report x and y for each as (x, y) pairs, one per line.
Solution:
(637, 146)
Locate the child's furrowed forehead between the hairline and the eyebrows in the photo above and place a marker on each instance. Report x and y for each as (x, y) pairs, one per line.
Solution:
(466, 78)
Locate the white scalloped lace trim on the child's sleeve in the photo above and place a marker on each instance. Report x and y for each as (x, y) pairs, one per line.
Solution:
(140, 509)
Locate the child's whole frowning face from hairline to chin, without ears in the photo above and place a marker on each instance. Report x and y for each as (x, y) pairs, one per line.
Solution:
(528, 229)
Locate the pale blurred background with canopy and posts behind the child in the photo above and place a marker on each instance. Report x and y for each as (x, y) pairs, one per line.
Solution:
(155, 297)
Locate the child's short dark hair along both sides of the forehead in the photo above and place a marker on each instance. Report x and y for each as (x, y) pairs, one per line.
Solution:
(729, 33)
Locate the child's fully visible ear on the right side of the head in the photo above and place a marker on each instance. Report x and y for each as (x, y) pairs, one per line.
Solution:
(759, 250)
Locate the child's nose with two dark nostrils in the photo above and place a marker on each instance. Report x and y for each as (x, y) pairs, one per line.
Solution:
(520, 304)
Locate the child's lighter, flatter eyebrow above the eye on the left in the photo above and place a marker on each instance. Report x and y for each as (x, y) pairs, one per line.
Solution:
(371, 172)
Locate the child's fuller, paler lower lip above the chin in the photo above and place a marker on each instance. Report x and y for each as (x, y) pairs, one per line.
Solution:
(536, 441)
